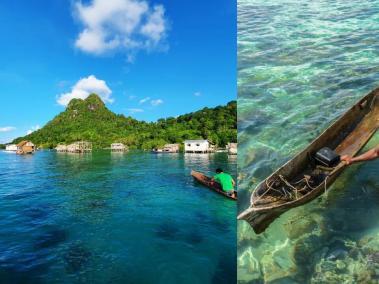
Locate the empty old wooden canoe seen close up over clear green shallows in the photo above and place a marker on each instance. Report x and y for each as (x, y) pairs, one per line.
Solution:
(301, 180)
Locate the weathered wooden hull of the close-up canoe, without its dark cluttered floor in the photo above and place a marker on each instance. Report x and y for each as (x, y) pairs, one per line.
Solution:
(346, 136)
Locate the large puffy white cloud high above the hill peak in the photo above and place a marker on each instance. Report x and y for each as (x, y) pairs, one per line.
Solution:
(128, 25)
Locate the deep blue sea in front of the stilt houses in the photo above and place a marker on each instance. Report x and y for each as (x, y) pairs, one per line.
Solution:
(114, 218)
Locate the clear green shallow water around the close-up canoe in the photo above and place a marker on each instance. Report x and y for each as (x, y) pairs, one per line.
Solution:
(301, 64)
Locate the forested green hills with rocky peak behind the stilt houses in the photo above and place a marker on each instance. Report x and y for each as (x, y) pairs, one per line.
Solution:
(90, 120)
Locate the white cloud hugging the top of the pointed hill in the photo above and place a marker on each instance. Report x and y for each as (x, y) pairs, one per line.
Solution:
(84, 87)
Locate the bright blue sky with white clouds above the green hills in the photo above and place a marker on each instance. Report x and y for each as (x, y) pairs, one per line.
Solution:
(147, 59)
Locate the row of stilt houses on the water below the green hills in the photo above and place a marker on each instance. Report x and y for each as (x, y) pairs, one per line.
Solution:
(190, 146)
